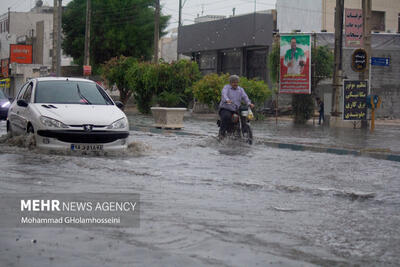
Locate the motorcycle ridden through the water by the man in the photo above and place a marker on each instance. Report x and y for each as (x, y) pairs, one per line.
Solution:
(240, 125)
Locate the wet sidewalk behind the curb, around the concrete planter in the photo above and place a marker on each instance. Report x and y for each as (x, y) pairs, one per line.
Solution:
(383, 143)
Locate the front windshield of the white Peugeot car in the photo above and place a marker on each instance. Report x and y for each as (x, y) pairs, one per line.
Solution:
(71, 92)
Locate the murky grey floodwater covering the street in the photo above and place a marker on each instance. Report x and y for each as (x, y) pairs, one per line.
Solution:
(205, 203)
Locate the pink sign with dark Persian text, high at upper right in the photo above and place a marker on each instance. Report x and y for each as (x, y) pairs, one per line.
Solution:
(354, 27)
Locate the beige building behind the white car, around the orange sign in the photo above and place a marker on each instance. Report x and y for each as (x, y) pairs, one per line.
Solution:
(34, 28)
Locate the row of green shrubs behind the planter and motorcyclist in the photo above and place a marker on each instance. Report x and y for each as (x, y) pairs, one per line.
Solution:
(175, 84)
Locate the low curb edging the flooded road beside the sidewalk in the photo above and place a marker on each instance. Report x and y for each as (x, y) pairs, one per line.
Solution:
(296, 147)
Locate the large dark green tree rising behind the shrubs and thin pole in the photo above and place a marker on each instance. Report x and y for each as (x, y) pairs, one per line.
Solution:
(119, 27)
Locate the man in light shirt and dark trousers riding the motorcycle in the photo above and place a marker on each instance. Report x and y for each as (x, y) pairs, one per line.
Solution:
(231, 97)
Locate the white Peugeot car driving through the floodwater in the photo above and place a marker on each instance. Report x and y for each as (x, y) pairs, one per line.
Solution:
(68, 114)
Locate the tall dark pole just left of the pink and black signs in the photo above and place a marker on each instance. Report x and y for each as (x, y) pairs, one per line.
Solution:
(337, 74)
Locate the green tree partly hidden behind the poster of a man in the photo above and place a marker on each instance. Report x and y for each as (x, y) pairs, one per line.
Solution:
(322, 61)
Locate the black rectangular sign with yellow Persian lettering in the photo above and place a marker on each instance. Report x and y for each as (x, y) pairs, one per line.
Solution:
(354, 100)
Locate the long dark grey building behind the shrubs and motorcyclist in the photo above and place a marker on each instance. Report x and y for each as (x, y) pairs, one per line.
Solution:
(235, 45)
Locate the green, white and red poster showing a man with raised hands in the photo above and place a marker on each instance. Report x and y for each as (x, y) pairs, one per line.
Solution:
(295, 64)
